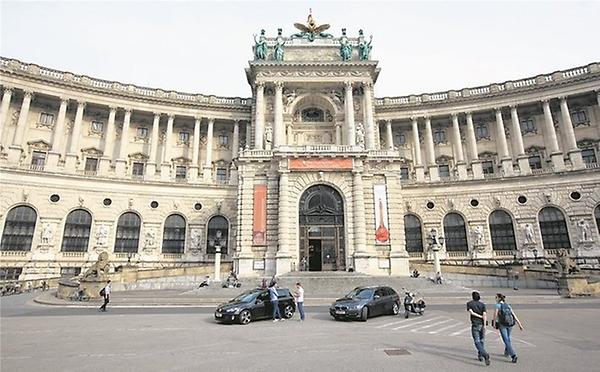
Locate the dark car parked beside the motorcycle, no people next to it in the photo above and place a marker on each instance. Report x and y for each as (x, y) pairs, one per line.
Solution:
(365, 302)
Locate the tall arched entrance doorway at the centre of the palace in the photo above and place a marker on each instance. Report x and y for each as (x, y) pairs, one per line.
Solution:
(322, 230)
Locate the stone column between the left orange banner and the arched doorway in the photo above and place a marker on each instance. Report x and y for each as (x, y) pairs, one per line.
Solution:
(284, 230)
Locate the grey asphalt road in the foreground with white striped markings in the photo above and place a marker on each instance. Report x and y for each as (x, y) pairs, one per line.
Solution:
(37, 338)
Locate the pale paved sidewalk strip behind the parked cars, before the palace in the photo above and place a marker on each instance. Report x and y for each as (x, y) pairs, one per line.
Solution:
(211, 297)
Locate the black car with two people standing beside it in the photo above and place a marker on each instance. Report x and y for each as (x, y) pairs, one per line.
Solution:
(254, 305)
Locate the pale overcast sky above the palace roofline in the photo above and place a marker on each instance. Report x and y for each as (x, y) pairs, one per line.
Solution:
(204, 46)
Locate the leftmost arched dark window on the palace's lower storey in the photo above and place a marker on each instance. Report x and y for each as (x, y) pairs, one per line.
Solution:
(18, 229)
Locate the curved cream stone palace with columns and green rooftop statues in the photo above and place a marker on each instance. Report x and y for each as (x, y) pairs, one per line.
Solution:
(313, 172)
